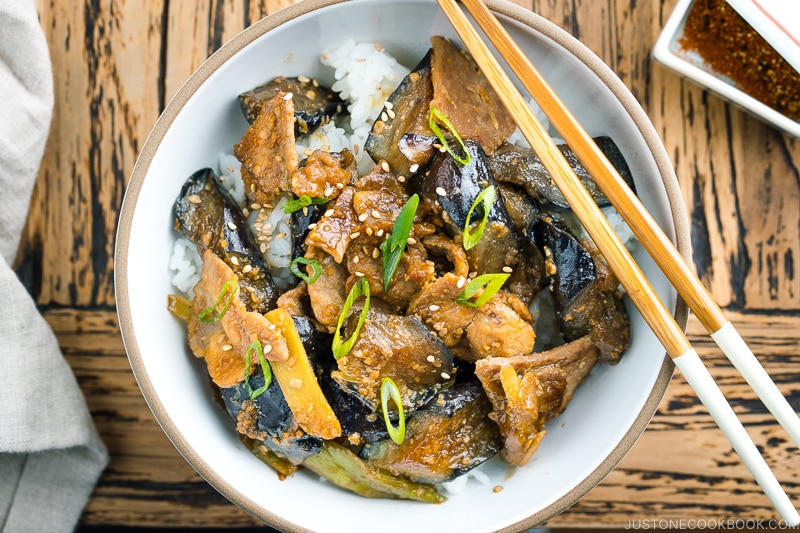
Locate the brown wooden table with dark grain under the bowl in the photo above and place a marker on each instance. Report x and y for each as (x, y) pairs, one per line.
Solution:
(116, 63)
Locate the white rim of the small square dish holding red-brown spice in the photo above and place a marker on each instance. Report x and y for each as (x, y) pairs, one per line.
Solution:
(689, 64)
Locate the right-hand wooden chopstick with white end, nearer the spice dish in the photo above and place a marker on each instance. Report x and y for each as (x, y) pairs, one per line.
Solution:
(646, 229)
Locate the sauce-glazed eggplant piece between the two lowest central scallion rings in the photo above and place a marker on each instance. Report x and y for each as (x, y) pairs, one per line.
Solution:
(396, 347)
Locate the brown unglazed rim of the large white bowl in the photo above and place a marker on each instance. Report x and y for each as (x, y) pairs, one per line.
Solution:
(501, 7)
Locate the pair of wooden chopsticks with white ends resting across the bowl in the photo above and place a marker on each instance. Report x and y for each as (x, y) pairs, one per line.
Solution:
(646, 229)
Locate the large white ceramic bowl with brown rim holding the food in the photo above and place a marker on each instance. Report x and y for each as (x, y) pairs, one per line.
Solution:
(606, 416)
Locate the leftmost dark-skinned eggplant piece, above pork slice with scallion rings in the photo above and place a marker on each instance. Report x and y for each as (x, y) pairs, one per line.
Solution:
(209, 217)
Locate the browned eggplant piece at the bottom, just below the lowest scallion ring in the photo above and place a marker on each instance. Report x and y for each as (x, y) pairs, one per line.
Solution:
(448, 437)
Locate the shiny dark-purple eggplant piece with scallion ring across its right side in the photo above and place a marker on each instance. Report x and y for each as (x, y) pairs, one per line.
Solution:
(456, 188)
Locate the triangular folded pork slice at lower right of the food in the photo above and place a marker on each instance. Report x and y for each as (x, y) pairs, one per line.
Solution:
(526, 391)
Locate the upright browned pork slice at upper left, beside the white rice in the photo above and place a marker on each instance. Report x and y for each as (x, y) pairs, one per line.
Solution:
(267, 151)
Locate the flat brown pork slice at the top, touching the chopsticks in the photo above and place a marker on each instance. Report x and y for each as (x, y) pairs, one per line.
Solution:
(464, 95)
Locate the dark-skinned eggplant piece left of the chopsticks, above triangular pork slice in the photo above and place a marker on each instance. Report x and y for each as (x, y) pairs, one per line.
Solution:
(586, 293)
